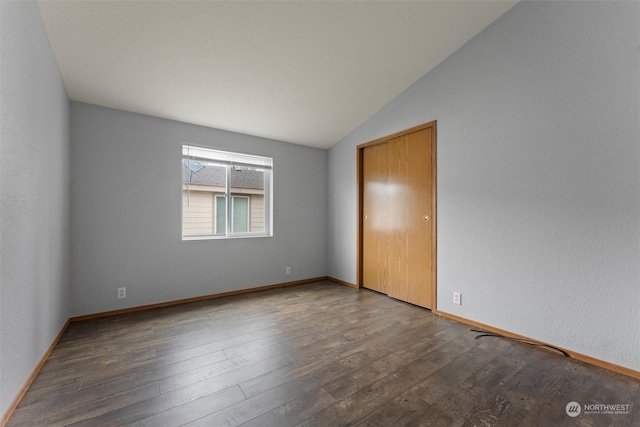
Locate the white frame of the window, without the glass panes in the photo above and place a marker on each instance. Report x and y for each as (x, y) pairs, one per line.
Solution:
(229, 159)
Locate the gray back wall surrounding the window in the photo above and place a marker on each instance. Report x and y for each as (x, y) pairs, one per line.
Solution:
(126, 214)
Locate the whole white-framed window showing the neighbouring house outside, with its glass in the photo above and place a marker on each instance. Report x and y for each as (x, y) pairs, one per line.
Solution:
(210, 178)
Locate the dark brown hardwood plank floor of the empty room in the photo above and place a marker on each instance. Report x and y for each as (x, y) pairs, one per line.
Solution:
(319, 354)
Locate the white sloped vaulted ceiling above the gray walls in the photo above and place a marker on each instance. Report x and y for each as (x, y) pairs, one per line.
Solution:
(304, 72)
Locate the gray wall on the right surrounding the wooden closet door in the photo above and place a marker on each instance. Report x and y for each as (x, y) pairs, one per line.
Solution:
(538, 176)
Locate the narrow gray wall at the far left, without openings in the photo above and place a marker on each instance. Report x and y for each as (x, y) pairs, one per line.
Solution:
(34, 196)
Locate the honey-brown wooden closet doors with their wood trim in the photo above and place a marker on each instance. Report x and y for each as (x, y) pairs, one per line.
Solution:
(397, 203)
